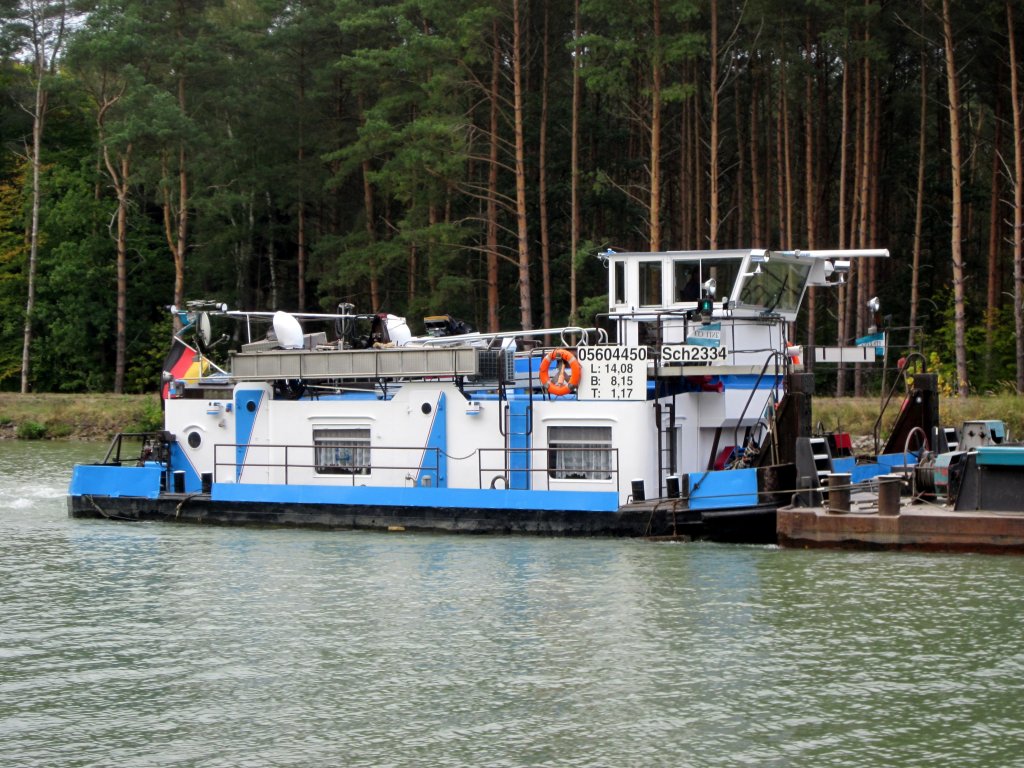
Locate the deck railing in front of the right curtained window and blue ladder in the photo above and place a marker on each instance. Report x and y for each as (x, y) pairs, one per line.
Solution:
(520, 470)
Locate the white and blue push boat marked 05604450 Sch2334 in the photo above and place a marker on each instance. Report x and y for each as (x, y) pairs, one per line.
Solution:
(680, 414)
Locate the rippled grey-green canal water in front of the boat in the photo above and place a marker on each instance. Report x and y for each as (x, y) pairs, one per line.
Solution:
(148, 645)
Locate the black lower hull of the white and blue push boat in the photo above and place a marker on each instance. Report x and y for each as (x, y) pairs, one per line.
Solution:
(636, 521)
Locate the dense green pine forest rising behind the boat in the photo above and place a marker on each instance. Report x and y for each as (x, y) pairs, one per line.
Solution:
(474, 157)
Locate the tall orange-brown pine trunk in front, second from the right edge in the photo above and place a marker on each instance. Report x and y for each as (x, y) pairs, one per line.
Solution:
(960, 318)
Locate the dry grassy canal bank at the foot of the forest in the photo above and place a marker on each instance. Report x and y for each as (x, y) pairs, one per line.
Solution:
(102, 416)
